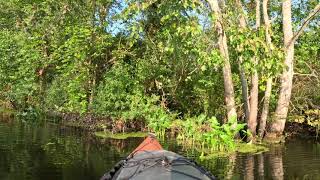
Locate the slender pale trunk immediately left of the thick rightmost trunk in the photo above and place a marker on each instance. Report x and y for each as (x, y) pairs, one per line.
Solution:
(267, 93)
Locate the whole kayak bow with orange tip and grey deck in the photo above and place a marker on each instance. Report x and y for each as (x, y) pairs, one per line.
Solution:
(150, 161)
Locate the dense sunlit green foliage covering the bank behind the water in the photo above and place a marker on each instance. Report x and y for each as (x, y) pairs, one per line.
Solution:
(155, 61)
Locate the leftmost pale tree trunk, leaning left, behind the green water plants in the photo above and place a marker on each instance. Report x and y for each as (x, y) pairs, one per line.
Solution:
(223, 47)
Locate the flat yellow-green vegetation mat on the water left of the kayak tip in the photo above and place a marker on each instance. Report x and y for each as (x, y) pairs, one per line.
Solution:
(108, 134)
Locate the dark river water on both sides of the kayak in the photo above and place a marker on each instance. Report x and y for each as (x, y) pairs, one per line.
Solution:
(51, 151)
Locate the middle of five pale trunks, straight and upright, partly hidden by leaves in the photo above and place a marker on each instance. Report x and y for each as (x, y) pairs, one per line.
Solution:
(252, 122)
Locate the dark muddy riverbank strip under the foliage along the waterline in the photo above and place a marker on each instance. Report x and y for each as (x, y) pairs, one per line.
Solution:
(95, 123)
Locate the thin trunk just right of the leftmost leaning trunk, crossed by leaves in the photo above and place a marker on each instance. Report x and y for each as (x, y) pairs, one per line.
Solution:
(244, 84)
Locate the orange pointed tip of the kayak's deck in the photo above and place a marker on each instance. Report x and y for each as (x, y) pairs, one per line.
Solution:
(149, 144)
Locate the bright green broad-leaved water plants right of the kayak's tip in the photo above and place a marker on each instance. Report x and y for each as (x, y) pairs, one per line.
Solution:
(208, 134)
